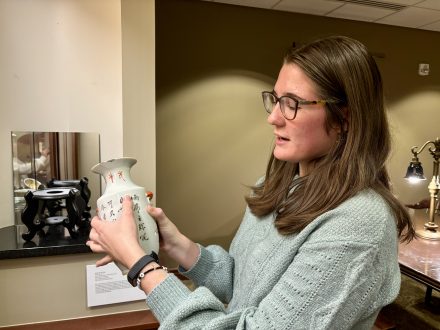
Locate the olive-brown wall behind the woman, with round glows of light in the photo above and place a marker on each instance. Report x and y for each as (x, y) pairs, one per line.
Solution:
(213, 60)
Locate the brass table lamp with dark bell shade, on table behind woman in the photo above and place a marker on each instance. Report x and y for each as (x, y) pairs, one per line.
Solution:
(415, 173)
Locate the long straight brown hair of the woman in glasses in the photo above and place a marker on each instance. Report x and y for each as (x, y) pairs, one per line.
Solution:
(344, 71)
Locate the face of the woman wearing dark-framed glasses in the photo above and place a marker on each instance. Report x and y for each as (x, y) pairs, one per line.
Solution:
(305, 138)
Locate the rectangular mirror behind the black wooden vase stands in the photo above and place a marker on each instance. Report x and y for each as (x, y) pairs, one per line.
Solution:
(41, 157)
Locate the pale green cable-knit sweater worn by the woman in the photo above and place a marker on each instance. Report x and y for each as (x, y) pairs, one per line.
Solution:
(337, 273)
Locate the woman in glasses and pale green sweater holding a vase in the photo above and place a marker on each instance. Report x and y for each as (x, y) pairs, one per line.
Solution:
(317, 248)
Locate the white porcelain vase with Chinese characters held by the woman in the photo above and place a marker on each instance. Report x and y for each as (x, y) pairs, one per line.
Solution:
(118, 184)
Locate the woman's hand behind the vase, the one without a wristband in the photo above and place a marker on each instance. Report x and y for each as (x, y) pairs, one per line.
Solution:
(172, 241)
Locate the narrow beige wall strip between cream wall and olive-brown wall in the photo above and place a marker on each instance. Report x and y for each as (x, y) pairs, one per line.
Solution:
(138, 89)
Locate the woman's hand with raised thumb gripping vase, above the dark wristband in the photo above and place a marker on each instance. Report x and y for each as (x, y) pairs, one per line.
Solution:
(118, 239)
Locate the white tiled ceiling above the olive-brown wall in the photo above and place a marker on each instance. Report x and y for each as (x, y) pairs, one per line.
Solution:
(418, 14)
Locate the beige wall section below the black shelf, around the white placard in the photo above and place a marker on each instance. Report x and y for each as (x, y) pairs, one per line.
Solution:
(48, 289)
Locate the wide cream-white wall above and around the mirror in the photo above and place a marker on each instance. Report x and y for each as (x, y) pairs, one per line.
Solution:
(61, 71)
